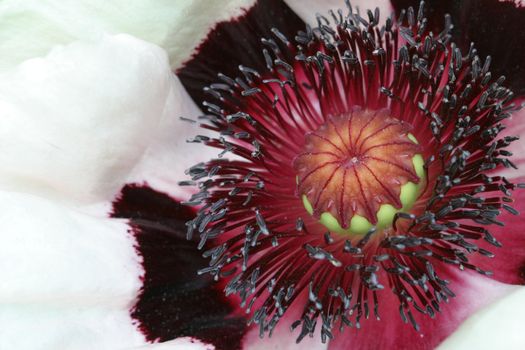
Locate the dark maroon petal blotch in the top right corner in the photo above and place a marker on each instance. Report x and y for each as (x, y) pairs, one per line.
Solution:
(494, 26)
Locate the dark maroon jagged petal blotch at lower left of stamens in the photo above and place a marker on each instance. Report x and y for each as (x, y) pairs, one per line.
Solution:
(174, 300)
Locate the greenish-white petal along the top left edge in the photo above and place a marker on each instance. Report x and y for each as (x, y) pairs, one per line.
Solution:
(31, 28)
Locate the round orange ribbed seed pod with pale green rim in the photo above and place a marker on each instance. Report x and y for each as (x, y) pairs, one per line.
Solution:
(358, 170)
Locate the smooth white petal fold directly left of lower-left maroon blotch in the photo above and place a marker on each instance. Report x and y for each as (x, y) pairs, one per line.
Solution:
(50, 254)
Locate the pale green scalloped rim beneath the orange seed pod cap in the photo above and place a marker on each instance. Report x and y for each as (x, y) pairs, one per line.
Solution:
(359, 225)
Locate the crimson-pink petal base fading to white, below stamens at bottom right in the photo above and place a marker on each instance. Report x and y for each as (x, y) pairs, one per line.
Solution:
(472, 293)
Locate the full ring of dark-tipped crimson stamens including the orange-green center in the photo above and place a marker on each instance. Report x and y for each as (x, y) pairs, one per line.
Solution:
(404, 181)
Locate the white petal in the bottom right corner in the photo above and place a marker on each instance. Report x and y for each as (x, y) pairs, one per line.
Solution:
(497, 326)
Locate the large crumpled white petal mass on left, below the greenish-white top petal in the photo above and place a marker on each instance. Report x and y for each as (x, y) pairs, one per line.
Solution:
(75, 123)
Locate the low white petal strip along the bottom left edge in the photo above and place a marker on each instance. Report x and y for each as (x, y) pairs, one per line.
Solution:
(56, 327)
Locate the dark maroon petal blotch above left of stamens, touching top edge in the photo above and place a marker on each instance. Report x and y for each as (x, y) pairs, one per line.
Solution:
(237, 42)
